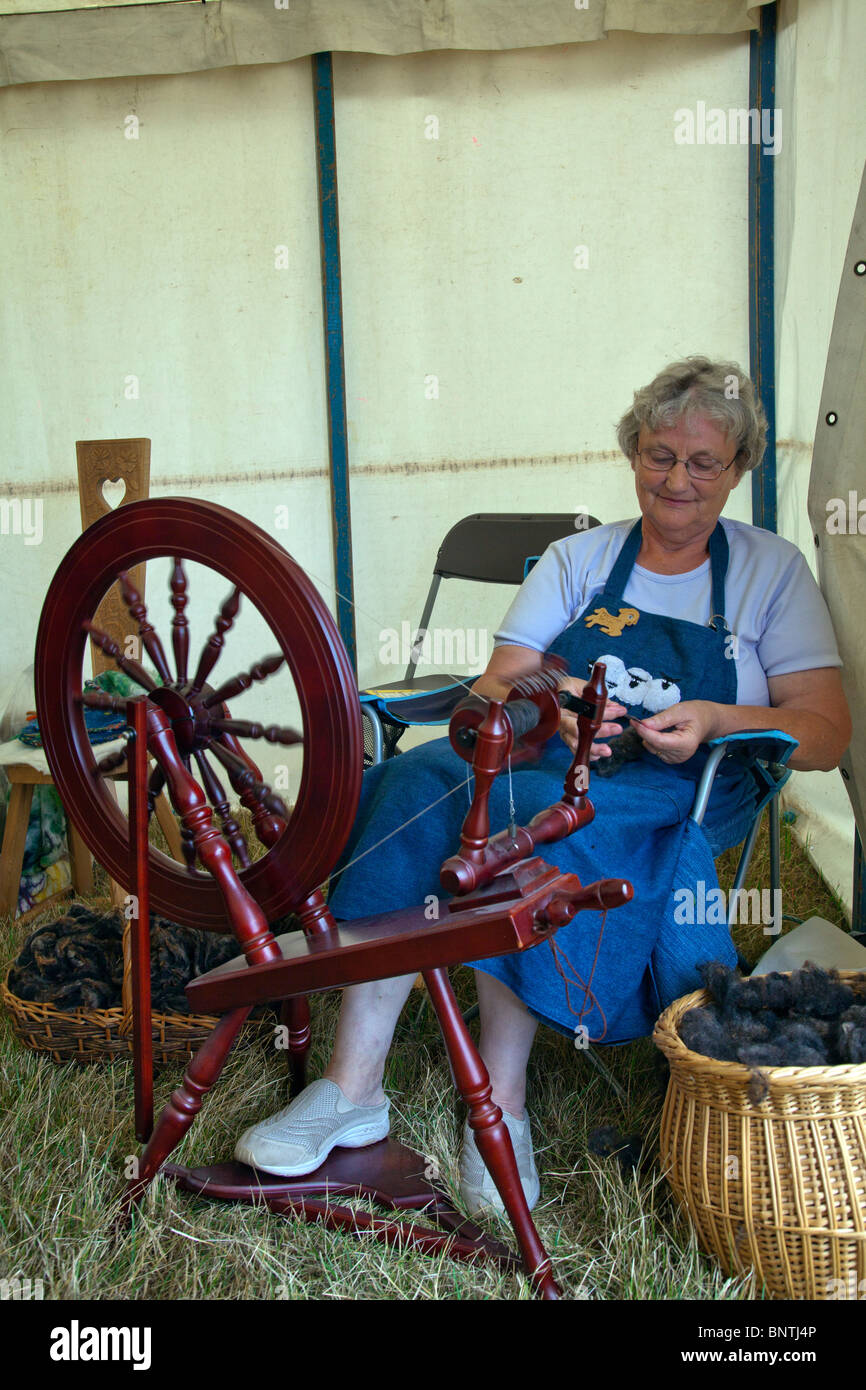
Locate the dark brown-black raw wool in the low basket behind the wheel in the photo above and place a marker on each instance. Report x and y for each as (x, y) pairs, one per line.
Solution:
(79, 961)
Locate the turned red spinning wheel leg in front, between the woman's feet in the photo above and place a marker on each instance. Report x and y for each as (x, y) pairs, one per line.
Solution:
(491, 1134)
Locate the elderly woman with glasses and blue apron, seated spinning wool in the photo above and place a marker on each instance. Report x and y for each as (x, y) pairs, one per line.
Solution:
(707, 628)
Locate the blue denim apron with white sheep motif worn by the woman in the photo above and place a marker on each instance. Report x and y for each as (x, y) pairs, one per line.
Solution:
(642, 831)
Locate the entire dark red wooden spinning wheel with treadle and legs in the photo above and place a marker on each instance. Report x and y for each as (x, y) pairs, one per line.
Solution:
(505, 900)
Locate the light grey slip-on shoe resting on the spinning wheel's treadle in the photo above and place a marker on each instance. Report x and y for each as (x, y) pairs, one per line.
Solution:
(298, 1139)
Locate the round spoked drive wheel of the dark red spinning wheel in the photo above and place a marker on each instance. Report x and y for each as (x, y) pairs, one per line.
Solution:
(193, 692)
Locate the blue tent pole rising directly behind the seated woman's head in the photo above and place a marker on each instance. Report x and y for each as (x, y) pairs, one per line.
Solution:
(762, 306)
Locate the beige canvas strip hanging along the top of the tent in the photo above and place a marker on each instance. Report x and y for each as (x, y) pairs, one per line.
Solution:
(52, 41)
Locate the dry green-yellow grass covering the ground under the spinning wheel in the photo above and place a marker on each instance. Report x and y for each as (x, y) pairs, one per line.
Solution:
(67, 1135)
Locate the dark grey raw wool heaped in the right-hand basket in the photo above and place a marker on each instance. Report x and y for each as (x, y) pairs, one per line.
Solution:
(810, 1018)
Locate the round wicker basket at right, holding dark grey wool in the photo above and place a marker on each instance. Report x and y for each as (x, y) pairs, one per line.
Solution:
(779, 1188)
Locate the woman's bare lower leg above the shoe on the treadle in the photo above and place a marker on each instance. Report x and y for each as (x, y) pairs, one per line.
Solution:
(368, 1020)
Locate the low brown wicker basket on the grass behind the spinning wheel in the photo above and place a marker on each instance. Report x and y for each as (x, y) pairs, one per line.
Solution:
(104, 1035)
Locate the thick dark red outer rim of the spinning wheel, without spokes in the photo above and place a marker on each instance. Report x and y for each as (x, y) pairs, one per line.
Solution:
(305, 633)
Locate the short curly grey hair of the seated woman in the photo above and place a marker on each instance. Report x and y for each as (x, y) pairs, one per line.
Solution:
(719, 391)
